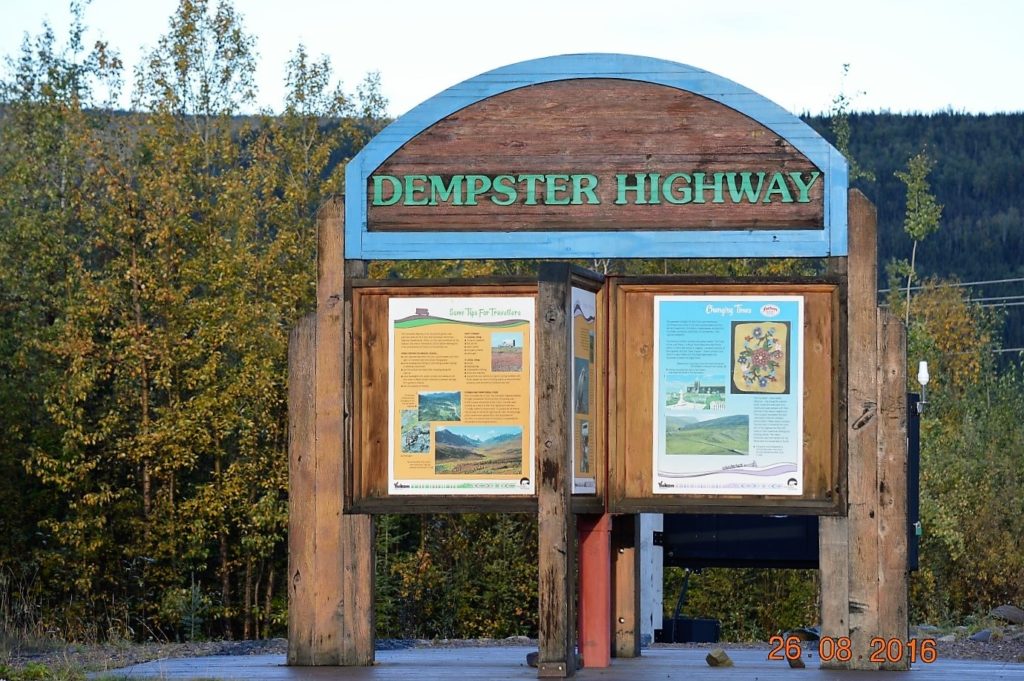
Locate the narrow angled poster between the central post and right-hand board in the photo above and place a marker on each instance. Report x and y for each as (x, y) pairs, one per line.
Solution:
(584, 395)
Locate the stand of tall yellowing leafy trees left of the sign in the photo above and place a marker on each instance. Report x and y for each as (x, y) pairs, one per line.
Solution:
(153, 266)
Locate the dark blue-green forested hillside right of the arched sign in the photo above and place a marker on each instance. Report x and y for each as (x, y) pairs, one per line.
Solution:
(978, 179)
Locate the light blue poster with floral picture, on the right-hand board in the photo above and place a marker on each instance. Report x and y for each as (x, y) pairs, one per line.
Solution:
(729, 395)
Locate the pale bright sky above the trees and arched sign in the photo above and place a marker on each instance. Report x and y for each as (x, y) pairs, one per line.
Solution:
(905, 56)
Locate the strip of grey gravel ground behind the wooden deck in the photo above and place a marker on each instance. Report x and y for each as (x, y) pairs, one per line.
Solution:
(1007, 646)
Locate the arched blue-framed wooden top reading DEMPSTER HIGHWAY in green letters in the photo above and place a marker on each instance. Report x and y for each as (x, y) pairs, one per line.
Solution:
(596, 156)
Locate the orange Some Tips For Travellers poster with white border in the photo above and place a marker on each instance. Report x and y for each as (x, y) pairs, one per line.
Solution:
(461, 396)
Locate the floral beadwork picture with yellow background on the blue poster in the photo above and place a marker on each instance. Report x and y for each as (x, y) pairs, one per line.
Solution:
(761, 358)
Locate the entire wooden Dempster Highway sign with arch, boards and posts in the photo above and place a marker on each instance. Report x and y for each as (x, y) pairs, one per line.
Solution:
(593, 157)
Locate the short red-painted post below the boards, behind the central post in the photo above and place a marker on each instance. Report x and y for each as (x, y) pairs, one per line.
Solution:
(595, 589)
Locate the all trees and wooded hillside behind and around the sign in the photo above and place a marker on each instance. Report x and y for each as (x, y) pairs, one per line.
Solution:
(153, 263)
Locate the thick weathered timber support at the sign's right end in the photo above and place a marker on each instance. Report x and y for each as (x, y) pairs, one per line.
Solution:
(863, 562)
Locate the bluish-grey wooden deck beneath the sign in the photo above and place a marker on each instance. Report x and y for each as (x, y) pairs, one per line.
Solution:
(498, 664)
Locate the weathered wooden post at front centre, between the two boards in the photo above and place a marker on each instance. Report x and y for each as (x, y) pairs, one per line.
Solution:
(557, 531)
